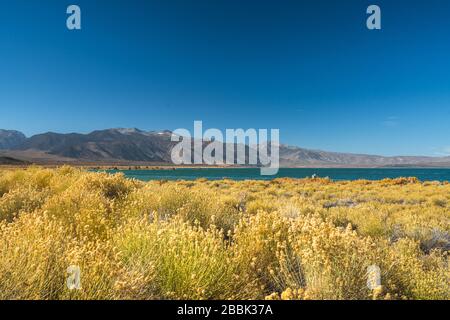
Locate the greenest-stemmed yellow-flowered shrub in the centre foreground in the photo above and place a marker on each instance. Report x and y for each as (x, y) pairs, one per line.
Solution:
(188, 262)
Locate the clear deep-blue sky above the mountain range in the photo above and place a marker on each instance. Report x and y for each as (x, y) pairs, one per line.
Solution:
(310, 68)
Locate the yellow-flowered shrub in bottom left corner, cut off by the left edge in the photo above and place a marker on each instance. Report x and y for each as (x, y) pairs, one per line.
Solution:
(32, 264)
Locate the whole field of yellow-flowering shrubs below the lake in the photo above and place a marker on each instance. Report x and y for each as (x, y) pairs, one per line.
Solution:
(278, 239)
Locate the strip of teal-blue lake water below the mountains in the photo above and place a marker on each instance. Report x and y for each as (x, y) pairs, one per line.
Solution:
(425, 174)
